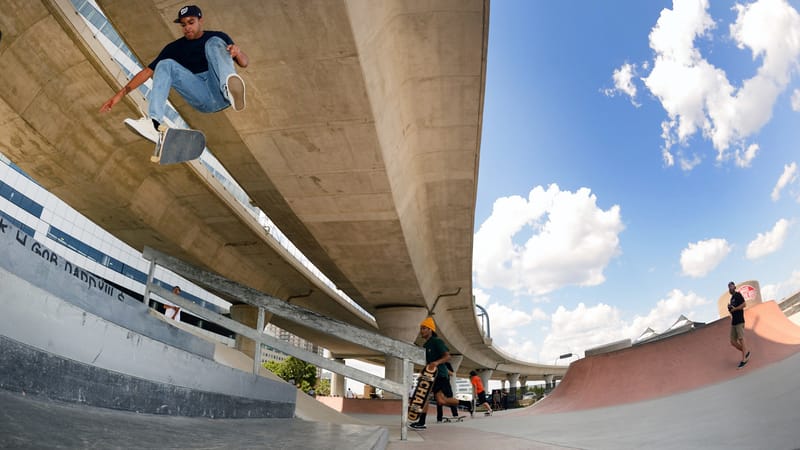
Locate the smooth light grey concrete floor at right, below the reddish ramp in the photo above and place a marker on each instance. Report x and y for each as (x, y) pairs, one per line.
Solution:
(757, 410)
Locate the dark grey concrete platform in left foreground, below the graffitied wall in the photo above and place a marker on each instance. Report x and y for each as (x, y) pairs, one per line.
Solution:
(27, 422)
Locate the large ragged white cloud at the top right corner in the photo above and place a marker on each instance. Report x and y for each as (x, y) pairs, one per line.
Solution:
(698, 96)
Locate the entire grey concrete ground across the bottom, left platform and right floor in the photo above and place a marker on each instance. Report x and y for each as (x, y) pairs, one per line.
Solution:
(757, 410)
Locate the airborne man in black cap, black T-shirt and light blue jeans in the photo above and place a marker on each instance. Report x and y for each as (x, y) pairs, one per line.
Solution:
(199, 66)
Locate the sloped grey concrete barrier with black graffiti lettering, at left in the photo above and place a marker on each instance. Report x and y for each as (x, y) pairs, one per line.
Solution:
(66, 334)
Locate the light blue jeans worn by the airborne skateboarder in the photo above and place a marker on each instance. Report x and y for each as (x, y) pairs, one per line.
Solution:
(203, 91)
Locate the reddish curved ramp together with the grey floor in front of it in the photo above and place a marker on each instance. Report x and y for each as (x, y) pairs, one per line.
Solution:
(681, 392)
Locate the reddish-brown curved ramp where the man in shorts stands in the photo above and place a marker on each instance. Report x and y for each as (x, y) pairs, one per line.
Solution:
(676, 364)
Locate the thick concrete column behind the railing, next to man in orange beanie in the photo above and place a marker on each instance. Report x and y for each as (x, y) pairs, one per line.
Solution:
(401, 323)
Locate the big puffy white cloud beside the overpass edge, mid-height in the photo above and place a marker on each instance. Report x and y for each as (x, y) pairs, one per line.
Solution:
(572, 241)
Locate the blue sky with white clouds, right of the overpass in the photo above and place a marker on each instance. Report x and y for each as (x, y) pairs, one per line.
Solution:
(635, 157)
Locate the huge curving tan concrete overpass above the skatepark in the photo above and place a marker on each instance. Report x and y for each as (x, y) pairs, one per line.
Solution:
(360, 141)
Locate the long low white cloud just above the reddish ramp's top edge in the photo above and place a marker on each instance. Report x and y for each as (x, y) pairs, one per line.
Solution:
(574, 331)
